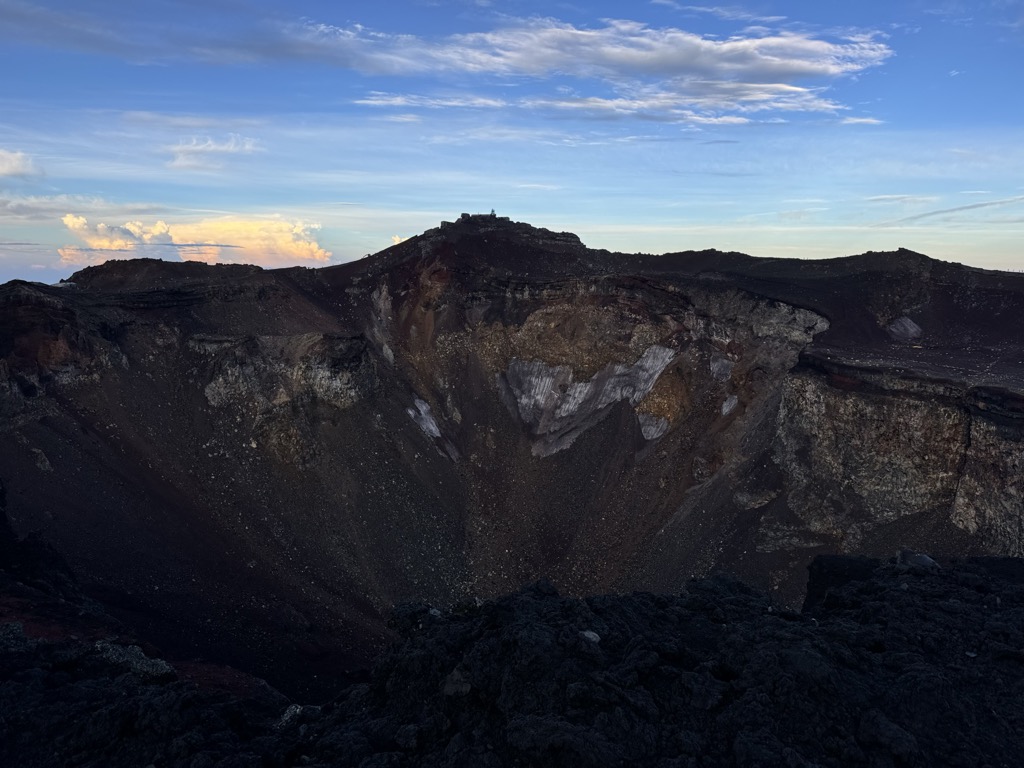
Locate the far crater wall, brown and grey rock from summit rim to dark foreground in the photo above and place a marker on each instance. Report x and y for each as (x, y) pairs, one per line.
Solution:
(258, 465)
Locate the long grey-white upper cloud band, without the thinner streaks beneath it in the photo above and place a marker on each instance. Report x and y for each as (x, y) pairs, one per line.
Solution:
(542, 48)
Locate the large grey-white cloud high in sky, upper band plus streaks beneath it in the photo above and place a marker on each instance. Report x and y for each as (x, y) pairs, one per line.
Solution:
(642, 65)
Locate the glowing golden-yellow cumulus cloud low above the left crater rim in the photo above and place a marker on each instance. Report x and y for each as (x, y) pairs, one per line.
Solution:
(266, 242)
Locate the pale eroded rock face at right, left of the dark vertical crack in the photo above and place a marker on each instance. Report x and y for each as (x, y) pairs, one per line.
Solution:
(858, 461)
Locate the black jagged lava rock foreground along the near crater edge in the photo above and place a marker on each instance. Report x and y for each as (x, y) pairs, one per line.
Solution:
(888, 665)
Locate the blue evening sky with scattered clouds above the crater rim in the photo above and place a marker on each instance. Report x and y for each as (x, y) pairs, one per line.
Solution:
(315, 133)
